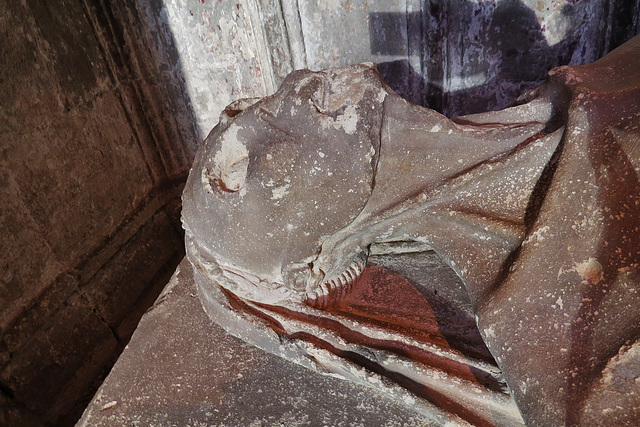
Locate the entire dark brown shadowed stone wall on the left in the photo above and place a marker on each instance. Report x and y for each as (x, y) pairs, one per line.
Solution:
(96, 138)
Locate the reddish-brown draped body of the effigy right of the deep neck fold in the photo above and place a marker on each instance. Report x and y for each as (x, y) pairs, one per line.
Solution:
(571, 297)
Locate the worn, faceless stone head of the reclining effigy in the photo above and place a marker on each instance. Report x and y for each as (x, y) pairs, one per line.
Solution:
(277, 177)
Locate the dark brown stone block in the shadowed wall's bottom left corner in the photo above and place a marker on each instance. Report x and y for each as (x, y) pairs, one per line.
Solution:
(70, 352)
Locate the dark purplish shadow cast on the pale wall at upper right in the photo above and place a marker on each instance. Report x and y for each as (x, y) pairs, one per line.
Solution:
(467, 57)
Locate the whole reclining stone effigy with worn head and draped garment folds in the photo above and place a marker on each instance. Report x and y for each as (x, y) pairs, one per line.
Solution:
(483, 270)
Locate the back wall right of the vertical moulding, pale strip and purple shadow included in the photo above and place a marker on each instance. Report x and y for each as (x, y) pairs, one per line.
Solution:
(463, 56)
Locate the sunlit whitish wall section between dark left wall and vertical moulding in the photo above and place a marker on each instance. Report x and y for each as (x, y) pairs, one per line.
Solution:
(224, 53)
